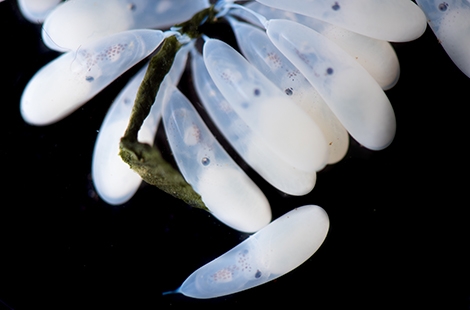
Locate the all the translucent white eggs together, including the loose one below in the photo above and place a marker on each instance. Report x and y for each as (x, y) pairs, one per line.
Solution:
(307, 76)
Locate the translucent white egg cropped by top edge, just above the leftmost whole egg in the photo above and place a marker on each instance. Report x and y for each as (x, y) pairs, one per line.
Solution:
(75, 23)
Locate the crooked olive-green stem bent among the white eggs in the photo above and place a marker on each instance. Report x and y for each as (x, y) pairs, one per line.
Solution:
(145, 159)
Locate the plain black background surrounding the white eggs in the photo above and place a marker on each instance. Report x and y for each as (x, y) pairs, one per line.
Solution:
(399, 222)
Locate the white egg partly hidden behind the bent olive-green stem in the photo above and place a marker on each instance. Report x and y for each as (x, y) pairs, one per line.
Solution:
(114, 181)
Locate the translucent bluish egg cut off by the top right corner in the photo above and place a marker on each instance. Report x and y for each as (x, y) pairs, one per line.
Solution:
(450, 22)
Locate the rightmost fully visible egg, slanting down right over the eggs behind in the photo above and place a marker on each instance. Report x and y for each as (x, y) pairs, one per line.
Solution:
(348, 89)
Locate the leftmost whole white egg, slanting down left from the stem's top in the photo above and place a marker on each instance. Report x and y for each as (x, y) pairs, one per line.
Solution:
(72, 79)
